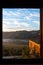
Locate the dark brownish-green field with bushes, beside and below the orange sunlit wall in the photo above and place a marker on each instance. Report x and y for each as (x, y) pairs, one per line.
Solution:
(18, 51)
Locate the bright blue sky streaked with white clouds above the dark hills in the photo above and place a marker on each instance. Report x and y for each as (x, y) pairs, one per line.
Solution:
(18, 19)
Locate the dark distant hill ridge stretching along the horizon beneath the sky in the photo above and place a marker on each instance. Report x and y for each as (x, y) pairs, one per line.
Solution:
(33, 35)
